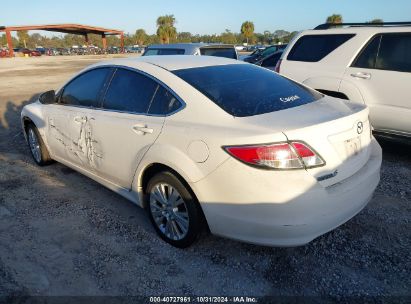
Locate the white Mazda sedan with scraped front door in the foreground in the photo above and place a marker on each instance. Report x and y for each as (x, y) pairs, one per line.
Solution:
(211, 143)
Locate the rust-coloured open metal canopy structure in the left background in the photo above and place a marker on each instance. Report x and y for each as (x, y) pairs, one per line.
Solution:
(76, 29)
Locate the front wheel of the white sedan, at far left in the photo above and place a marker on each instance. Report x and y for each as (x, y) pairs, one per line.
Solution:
(37, 147)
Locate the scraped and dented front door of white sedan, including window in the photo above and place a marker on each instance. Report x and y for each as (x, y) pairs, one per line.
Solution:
(70, 120)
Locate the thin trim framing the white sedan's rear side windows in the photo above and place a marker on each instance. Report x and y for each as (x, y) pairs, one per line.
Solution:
(158, 82)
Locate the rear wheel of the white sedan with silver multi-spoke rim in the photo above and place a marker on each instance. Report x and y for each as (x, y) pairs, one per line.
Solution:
(179, 223)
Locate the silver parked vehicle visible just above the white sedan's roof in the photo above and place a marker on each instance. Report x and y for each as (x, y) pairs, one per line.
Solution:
(219, 50)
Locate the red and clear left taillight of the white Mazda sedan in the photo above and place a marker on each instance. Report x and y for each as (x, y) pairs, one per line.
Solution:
(293, 155)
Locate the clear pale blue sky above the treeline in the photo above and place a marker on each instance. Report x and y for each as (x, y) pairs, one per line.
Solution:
(200, 17)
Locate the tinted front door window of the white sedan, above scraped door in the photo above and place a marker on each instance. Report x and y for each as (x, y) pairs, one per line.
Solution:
(85, 90)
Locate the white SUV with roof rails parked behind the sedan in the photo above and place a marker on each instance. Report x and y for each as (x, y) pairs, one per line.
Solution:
(368, 63)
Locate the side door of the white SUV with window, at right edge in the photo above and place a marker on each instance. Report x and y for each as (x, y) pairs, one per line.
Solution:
(382, 72)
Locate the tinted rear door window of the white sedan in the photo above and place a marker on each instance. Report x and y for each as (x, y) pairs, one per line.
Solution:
(129, 91)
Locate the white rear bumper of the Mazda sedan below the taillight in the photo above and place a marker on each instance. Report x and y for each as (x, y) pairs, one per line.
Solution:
(288, 208)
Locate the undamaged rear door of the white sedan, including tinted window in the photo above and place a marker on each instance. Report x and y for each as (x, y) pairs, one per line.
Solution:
(129, 123)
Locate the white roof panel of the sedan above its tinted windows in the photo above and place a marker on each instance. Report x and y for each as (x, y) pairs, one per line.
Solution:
(173, 62)
